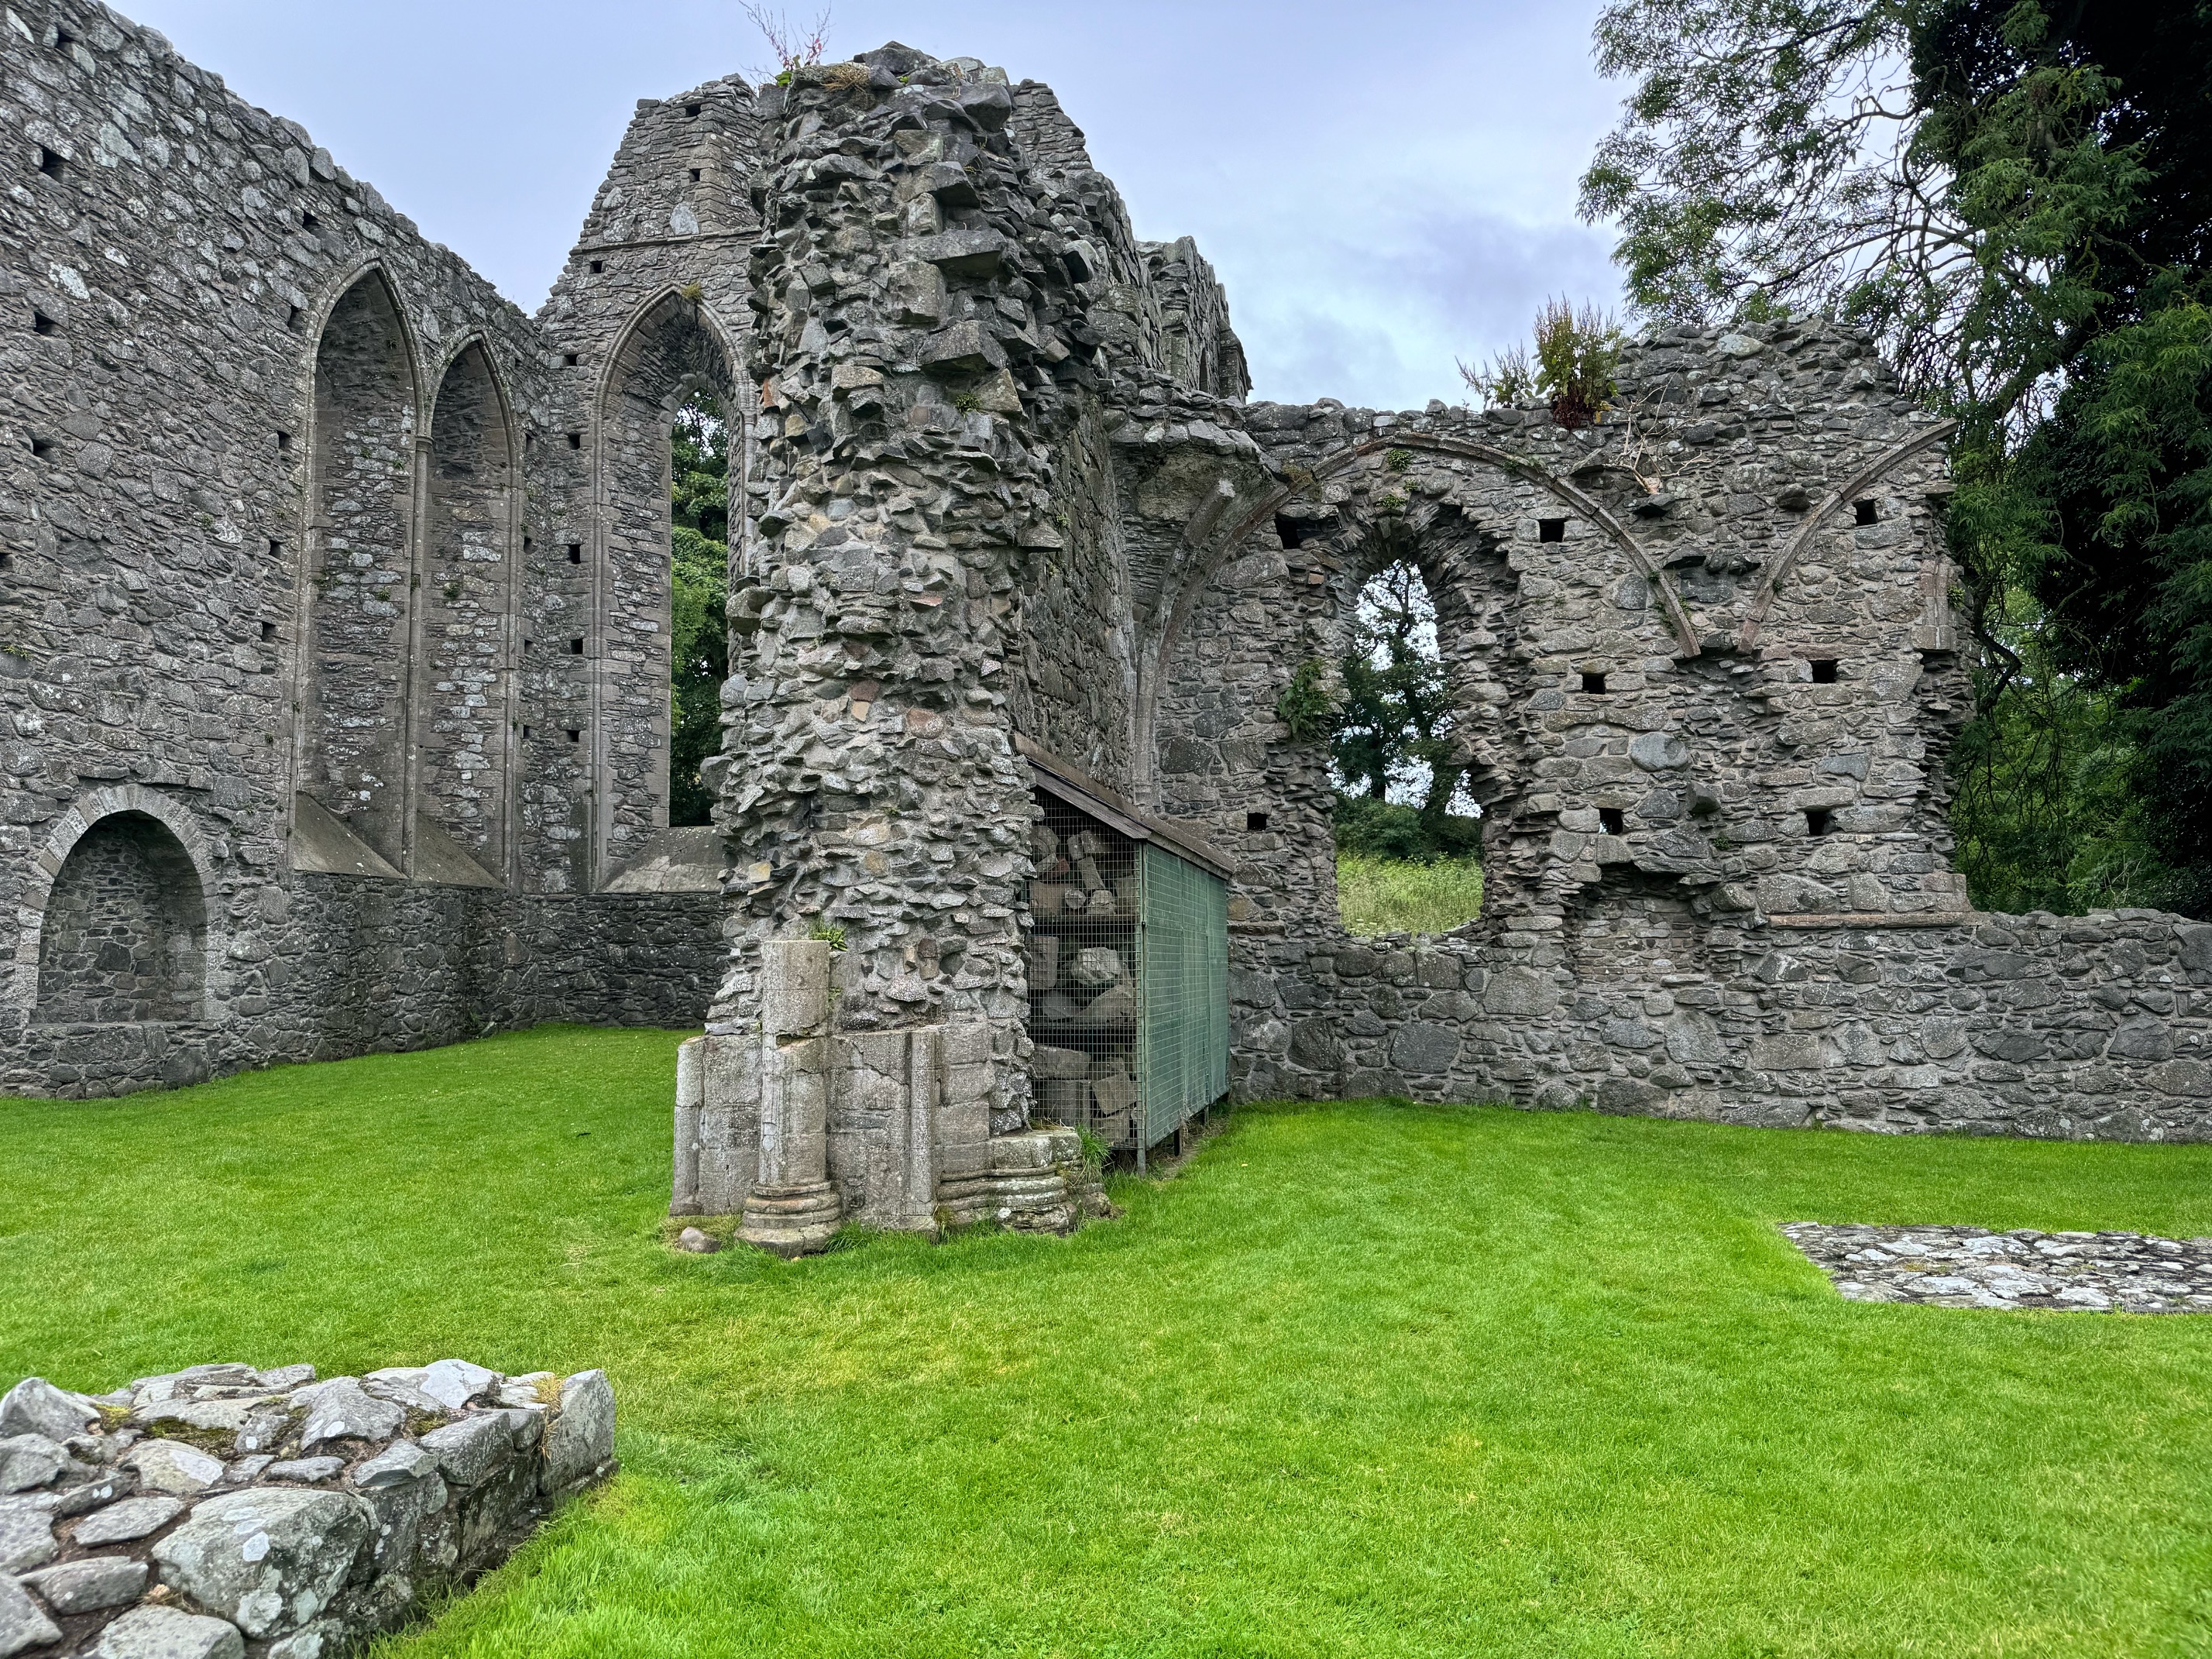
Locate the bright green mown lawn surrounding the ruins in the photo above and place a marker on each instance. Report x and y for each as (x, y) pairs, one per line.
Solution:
(1359, 1381)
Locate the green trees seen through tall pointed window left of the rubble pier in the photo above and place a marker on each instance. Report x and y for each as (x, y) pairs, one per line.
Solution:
(700, 585)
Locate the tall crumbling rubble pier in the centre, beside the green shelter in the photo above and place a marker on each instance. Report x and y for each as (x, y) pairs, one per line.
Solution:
(954, 322)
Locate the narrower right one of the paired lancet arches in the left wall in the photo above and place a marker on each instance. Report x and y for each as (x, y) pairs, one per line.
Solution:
(468, 607)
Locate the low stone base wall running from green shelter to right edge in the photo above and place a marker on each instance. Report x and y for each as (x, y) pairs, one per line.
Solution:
(2076, 1027)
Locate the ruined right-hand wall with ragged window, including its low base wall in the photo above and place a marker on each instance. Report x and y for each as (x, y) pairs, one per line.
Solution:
(1718, 957)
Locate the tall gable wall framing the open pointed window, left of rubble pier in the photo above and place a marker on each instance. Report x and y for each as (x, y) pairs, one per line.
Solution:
(651, 306)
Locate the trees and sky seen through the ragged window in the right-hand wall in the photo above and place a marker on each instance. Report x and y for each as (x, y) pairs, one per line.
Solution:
(1395, 724)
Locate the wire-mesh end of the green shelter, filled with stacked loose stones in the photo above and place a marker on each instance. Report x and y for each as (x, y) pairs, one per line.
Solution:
(1083, 977)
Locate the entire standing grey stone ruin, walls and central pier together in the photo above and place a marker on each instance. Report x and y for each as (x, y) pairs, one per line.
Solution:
(304, 508)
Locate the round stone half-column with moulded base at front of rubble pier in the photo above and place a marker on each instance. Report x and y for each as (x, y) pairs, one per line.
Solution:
(793, 1207)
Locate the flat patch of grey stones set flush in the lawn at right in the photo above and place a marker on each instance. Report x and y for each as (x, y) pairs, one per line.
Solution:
(2107, 1273)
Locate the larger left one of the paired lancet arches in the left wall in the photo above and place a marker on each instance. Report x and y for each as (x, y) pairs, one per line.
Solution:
(359, 565)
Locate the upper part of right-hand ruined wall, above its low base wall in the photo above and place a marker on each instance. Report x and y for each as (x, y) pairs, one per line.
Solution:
(1649, 589)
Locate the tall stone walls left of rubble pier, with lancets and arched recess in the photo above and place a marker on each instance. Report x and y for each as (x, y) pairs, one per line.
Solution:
(289, 594)
